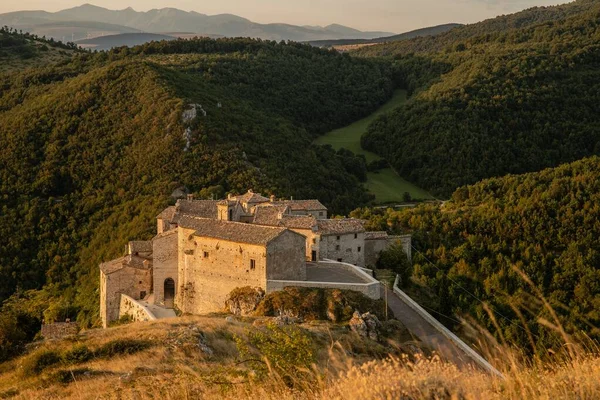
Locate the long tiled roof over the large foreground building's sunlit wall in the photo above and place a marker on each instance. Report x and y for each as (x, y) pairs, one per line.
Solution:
(231, 231)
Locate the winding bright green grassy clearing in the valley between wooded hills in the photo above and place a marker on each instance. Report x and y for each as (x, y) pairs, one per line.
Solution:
(386, 185)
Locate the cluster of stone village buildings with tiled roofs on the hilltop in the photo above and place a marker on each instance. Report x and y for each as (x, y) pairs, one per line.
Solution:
(204, 249)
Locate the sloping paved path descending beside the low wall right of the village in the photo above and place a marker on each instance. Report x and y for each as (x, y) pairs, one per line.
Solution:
(425, 332)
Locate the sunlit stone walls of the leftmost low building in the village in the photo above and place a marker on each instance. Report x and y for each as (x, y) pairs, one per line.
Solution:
(133, 282)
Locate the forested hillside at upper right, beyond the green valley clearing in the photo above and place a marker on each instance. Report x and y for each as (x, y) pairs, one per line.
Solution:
(516, 94)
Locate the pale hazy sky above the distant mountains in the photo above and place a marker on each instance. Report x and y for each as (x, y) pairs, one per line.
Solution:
(388, 15)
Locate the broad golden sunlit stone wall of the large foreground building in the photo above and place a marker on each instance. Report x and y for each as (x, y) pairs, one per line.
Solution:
(205, 280)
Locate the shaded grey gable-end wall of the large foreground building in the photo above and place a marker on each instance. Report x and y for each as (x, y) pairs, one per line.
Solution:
(286, 257)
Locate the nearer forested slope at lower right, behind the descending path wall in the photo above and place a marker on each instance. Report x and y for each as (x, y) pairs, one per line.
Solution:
(470, 251)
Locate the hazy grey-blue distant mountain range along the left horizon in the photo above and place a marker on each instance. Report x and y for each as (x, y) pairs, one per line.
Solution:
(88, 21)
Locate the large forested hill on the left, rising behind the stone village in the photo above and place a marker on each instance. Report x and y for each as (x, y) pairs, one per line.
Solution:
(92, 148)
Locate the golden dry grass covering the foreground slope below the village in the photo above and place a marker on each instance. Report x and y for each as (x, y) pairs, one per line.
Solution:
(167, 372)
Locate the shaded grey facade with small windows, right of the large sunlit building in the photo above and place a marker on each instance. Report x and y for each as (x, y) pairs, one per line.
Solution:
(348, 248)
